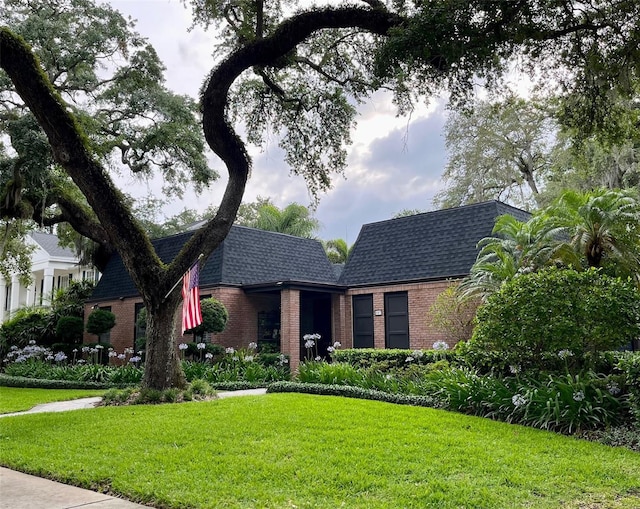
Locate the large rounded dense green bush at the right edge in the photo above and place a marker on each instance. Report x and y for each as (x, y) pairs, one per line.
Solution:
(555, 312)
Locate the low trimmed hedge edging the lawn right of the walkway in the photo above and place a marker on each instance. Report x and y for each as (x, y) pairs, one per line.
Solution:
(349, 391)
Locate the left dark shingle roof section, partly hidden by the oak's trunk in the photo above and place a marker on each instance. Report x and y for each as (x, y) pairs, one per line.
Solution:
(246, 257)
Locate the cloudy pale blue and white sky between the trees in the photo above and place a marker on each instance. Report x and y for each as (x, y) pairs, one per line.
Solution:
(394, 163)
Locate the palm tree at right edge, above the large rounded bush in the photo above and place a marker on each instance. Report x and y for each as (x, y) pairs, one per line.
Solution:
(602, 228)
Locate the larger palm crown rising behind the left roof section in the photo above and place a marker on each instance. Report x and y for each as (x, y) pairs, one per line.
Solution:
(294, 219)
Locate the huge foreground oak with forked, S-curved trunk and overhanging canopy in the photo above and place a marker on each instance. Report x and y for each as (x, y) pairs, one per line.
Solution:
(299, 75)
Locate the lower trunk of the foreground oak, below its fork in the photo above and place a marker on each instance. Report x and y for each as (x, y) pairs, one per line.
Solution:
(162, 366)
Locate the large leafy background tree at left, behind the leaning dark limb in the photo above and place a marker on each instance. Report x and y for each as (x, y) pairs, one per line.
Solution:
(112, 82)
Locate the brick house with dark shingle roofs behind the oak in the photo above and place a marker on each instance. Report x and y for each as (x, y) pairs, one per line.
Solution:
(278, 288)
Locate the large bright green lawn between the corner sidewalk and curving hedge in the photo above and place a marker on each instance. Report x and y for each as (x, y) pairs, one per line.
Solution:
(303, 451)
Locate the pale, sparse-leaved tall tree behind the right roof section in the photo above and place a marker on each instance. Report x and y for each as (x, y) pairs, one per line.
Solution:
(497, 151)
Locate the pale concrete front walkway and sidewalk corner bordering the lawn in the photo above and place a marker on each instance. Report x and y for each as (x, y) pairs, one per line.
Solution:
(23, 491)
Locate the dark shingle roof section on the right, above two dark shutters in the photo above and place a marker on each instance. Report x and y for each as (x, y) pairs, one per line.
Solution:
(432, 245)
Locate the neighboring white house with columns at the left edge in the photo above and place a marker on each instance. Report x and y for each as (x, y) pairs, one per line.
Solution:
(52, 268)
